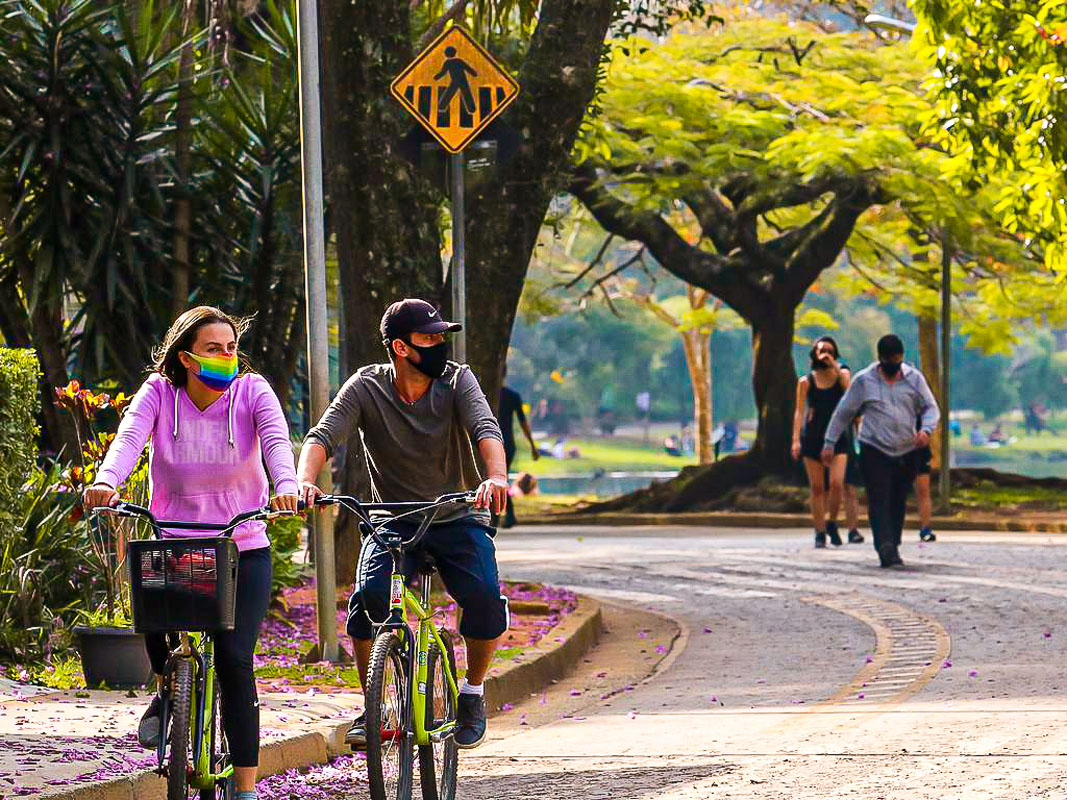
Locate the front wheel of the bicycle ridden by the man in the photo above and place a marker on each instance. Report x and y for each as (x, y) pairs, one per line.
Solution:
(390, 749)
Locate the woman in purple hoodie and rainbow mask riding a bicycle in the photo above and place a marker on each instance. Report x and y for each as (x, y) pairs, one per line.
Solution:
(212, 430)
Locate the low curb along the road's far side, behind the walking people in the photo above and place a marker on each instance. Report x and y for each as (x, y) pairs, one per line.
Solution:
(743, 520)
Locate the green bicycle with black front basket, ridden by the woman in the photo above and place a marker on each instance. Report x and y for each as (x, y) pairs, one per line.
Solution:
(186, 589)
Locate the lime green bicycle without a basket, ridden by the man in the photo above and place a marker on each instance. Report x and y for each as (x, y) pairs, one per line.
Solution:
(412, 692)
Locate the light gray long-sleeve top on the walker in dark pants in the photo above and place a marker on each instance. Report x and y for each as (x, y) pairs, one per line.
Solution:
(889, 410)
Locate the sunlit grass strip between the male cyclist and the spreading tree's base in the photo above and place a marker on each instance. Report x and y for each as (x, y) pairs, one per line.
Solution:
(609, 454)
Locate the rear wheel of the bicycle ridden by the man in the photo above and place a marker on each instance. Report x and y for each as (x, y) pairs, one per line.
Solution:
(439, 761)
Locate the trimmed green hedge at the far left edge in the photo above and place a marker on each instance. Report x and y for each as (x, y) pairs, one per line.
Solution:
(20, 403)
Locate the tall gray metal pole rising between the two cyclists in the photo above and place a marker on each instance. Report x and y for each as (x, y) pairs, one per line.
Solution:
(315, 294)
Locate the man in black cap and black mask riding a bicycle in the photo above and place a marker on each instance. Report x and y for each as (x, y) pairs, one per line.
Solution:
(418, 417)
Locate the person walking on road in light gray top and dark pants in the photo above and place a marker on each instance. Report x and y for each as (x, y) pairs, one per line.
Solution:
(889, 395)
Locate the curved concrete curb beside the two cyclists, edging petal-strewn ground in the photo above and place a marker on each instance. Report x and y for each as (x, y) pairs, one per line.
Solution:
(546, 663)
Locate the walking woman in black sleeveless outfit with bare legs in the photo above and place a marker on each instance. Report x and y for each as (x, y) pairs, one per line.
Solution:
(819, 394)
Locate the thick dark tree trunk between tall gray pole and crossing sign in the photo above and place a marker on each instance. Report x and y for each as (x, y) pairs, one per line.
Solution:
(383, 211)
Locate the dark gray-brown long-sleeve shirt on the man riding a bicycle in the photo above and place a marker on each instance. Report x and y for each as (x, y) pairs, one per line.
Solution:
(416, 452)
